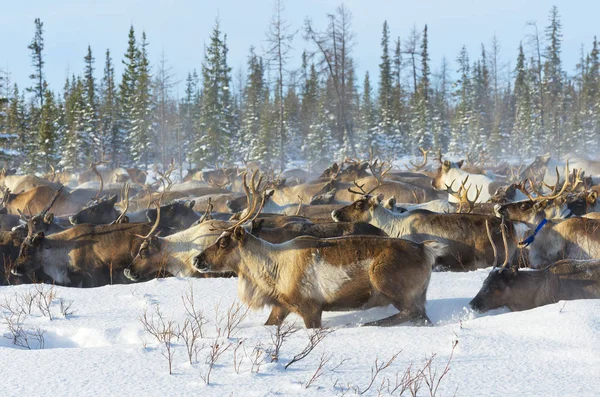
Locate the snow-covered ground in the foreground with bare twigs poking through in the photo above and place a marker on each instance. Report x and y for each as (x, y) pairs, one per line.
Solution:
(102, 349)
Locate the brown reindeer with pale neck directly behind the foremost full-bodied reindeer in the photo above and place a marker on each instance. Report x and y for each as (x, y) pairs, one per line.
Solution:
(463, 234)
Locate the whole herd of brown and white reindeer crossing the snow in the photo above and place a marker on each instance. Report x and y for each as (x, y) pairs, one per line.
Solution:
(359, 234)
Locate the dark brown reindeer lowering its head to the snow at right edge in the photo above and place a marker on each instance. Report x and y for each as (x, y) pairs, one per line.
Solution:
(523, 290)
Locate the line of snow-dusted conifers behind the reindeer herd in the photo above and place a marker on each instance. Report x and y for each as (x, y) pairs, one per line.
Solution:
(275, 112)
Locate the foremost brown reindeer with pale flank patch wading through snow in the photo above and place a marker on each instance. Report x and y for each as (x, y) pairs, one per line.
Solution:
(308, 275)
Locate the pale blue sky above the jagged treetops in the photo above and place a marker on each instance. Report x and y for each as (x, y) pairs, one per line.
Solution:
(181, 27)
